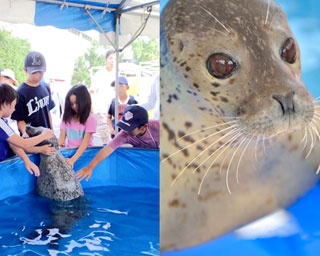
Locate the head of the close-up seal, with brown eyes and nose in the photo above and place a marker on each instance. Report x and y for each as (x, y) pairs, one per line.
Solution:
(243, 60)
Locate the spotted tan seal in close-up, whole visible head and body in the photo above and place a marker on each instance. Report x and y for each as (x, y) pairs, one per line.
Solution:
(239, 130)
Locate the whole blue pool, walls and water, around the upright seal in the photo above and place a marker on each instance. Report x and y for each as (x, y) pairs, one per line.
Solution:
(119, 213)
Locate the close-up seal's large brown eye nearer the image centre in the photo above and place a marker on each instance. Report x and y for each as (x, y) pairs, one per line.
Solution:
(221, 65)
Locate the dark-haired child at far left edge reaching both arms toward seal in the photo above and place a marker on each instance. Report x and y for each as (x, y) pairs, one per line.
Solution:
(8, 100)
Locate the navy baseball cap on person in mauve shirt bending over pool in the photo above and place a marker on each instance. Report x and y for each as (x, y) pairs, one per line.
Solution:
(133, 117)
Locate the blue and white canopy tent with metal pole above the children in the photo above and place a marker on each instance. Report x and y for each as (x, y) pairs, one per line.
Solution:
(112, 18)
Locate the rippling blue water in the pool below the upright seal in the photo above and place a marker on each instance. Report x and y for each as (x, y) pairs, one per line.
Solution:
(109, 220)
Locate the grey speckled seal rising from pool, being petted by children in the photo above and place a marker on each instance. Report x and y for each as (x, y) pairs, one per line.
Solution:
(57, 179)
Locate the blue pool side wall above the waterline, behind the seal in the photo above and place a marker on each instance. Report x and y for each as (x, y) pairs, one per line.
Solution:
(130, 167)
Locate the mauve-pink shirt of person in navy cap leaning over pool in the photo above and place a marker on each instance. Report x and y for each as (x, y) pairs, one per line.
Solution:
(150, 139)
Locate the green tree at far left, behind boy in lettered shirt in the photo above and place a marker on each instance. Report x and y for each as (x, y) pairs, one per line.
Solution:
(12, 53)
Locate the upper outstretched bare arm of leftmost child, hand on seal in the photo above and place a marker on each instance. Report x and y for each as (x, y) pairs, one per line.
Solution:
(17, 141)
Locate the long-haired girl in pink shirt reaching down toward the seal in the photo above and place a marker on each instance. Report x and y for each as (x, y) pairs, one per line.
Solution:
(78, 123)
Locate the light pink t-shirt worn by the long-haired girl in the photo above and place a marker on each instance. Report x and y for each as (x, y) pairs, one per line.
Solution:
(76, 131)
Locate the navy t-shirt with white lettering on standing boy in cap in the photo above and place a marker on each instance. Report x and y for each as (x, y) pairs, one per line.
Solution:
(34, 105)
